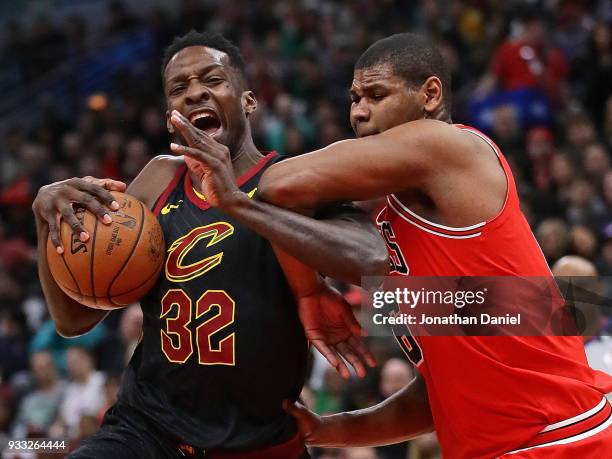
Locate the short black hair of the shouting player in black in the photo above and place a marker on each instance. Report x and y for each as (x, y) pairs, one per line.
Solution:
(209, 40)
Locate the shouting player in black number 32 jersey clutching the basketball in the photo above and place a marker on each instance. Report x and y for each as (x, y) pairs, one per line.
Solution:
(222, 342)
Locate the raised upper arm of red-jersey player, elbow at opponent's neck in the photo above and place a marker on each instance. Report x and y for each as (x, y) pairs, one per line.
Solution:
(404, 157)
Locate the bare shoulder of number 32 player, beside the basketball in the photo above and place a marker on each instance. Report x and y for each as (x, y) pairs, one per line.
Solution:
(154, 178)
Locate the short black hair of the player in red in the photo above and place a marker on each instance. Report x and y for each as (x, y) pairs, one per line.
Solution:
(412, 57)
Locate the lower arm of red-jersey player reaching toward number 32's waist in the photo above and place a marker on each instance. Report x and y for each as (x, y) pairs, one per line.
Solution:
(403, 416)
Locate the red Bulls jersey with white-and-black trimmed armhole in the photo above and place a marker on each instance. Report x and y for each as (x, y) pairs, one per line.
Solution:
(489, 395)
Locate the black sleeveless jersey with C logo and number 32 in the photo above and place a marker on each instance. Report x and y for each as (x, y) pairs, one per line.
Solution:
(222, 344)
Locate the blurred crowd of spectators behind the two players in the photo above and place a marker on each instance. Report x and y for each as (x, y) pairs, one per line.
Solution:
(82, 96)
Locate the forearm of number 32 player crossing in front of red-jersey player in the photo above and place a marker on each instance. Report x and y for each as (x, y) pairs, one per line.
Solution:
(342, 249)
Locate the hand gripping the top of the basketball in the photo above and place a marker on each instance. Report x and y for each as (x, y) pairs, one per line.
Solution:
(56, 201)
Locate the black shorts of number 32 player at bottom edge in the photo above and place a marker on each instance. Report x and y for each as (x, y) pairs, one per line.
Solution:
(127, 435)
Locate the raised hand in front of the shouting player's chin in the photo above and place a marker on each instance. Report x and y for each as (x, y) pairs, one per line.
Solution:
(210, 161)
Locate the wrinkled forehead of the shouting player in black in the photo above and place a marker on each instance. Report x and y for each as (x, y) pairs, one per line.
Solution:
(195, 59)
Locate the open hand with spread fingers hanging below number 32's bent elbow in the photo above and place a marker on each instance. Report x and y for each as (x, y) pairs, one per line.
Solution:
(331, 327)
